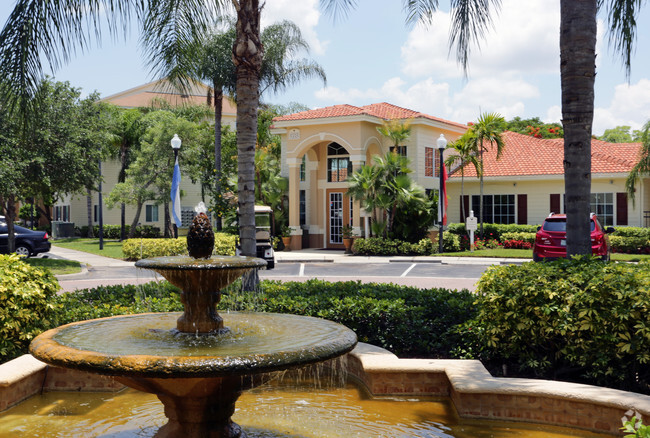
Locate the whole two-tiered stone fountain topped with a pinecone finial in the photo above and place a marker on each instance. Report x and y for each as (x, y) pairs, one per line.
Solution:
(198, 363)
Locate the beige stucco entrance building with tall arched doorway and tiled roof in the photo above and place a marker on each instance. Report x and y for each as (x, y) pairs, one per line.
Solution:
(321, 147)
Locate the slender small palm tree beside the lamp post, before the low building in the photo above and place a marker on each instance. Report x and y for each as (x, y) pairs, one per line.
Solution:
(486, 133)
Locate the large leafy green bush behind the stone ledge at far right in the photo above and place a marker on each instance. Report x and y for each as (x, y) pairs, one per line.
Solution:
(576, 319)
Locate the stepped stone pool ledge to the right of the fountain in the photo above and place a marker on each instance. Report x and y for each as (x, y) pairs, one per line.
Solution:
(476, 394)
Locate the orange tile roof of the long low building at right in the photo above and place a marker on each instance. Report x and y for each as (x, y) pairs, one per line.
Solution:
(524, 155)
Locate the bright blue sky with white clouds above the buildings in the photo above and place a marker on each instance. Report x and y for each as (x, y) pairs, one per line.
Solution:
(372, 55)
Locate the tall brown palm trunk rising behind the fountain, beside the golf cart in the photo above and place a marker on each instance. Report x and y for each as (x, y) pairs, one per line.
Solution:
(247, 57)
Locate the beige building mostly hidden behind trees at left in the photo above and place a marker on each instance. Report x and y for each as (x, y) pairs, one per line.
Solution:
(73, 208)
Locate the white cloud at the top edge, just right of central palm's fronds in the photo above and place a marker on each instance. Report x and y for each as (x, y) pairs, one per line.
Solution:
(304, 13)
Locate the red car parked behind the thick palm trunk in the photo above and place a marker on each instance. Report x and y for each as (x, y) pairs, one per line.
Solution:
(550, 241)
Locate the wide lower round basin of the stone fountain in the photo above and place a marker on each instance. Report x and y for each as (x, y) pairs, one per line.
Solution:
(147, 345)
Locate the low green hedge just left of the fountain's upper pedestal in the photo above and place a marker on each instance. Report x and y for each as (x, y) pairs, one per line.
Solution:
(105, 301)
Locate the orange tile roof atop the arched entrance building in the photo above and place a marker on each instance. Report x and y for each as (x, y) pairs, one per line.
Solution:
(383, 110)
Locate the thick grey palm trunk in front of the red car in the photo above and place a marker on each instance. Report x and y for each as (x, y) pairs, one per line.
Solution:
(577, 72)
